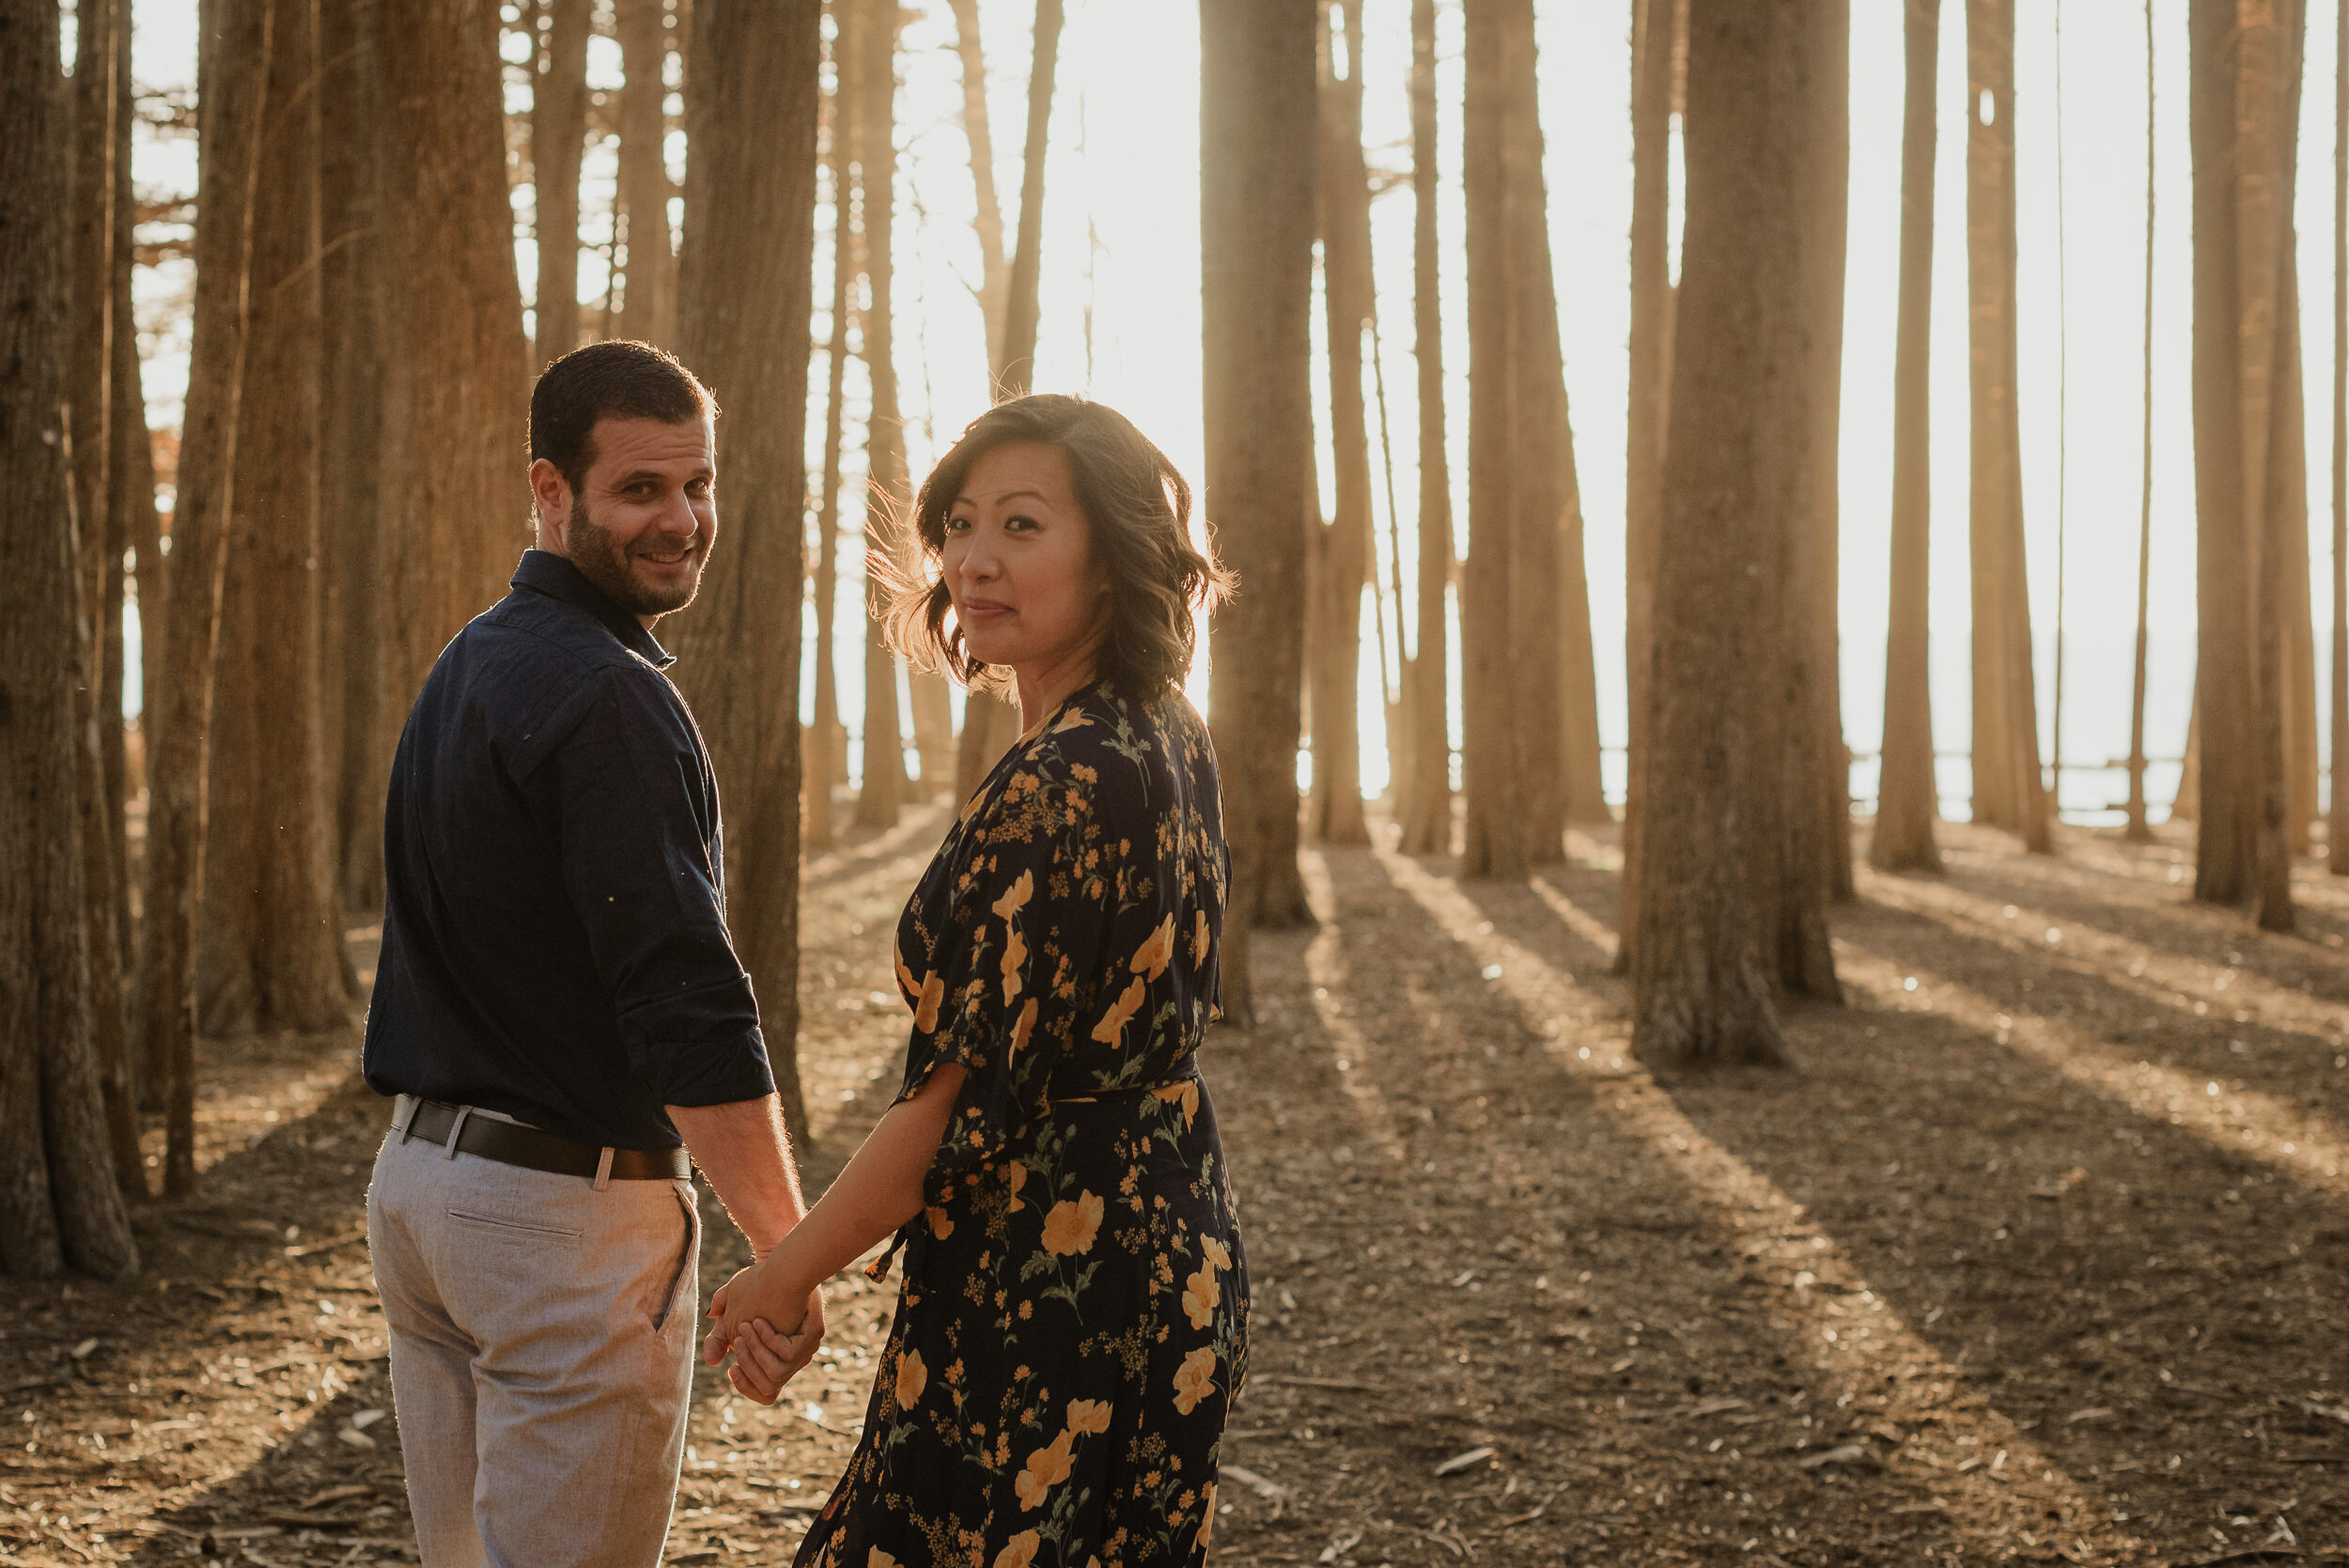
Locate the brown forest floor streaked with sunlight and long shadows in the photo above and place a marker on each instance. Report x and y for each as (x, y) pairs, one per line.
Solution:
(2038, 1255)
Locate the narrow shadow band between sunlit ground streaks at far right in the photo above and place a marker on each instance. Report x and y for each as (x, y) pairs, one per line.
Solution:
(2266, 1057)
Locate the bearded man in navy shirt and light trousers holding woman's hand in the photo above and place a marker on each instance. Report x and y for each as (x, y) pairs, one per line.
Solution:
(563, 1018)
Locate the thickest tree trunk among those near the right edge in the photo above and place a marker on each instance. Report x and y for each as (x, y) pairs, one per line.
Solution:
(2242, 69)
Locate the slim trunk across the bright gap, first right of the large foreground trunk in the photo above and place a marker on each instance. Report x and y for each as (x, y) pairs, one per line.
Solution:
(1906, 797)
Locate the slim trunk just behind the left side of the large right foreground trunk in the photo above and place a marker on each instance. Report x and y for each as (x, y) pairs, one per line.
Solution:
(1653, 86)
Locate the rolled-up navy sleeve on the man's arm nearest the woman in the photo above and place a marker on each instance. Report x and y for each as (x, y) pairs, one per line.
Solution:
(642, 863)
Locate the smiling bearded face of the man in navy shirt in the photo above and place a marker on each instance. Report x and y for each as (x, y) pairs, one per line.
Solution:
(645, 518)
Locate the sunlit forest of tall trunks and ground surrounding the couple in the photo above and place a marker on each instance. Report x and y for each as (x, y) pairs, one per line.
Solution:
(1721, 1062)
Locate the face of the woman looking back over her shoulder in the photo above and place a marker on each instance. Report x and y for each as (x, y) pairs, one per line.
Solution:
(1021, 567)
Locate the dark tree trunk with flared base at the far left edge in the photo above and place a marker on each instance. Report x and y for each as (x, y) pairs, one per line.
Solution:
(58, 1189)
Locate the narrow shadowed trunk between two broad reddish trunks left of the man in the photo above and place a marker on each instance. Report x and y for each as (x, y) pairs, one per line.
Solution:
(356, 731)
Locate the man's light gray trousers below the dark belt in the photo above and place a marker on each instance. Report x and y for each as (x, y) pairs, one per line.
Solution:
(541, 1356)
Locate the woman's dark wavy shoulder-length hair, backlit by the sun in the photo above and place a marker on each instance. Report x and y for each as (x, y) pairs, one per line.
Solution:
(1138, 508)
